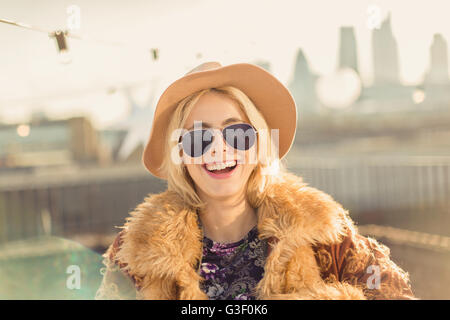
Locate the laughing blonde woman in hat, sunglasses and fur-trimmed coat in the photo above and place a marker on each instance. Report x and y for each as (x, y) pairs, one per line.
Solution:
(233, 223)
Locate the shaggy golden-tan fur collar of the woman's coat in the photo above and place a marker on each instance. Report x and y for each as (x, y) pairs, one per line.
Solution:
(162, 243)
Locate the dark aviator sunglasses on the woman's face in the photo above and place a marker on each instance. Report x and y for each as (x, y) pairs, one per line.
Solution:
(195, 143)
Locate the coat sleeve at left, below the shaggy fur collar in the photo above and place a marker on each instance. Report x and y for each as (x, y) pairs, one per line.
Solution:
(116, 283)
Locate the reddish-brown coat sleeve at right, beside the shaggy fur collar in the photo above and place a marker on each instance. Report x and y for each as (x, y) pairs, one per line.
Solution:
(364, 263)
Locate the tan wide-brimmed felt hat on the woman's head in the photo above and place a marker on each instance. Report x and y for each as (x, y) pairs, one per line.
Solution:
(268, 94)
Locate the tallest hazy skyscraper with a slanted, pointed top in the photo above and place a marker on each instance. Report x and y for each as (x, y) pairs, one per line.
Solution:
(385, 54)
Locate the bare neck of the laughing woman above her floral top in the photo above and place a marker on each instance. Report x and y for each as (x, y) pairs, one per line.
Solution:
(227, 220)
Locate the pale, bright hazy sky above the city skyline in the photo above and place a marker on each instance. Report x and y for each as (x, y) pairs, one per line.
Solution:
(32, 77)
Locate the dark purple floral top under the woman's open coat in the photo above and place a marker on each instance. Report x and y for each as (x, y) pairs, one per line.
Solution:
(232, 270)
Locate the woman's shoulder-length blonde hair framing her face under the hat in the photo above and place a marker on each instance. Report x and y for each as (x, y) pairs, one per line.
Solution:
(266, 171)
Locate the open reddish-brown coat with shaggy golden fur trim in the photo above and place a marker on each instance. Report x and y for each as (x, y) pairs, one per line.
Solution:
(315, 251)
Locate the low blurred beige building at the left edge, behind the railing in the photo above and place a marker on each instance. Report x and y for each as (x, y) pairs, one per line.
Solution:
(46, 143)
